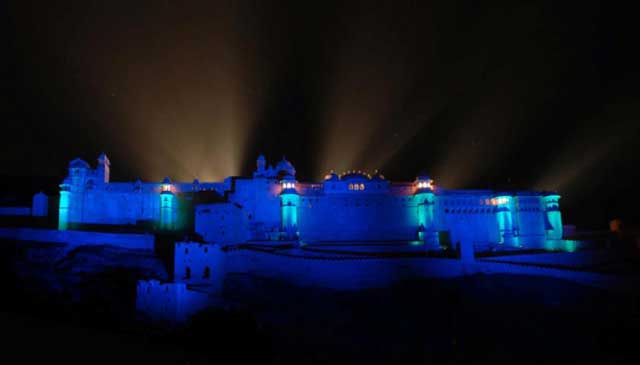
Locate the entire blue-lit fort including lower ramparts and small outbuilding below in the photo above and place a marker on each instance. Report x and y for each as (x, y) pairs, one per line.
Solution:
(350, 231)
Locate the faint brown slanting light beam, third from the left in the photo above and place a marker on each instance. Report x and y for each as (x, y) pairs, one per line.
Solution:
(490, 119)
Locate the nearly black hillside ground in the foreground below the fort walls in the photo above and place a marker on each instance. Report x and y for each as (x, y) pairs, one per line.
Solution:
(70, 315)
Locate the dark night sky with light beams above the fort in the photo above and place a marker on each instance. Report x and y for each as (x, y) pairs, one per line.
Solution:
(501, 94)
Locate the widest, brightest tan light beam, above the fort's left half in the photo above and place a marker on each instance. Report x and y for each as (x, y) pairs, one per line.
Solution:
(179, 89)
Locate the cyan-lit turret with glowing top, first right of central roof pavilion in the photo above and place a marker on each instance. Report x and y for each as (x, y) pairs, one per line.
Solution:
(425, 201)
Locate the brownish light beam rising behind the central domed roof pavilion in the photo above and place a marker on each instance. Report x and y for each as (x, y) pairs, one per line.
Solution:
(374, 67)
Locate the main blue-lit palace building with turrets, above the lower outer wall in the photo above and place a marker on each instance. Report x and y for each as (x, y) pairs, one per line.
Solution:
(272, 206)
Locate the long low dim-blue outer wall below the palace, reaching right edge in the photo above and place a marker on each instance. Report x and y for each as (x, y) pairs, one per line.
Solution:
(355, 274)
